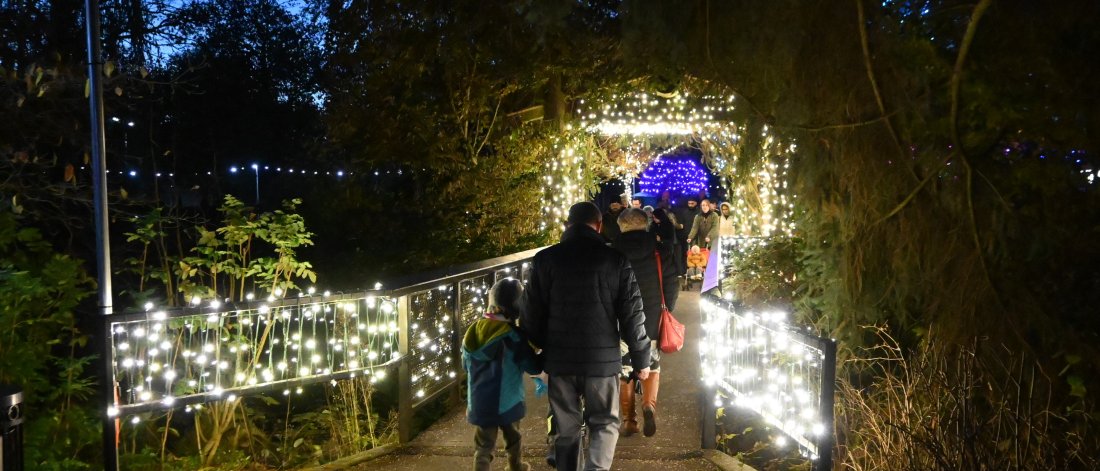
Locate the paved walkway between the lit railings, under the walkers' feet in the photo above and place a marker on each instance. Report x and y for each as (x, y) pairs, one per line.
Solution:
(448, 445)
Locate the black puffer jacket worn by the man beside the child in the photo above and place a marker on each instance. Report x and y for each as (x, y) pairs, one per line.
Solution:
(582, 300)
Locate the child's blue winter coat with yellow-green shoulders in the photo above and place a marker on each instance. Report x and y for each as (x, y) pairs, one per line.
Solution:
(496, 357)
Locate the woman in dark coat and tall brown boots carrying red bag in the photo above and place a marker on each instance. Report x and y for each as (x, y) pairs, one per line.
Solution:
(657, 280)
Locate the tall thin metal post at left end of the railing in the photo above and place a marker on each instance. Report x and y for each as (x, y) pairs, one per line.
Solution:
(103, 236)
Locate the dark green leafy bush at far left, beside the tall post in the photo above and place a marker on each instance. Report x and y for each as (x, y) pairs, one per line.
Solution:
(40, 291)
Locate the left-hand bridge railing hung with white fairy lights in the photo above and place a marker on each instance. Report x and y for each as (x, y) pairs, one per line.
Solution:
(210, 352)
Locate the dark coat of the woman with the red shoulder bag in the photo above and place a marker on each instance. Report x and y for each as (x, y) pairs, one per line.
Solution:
(640, 249)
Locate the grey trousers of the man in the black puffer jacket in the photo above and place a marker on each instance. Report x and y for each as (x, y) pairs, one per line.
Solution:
(601, 414)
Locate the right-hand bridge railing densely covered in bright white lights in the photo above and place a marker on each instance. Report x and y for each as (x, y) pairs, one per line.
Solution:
(757, 362)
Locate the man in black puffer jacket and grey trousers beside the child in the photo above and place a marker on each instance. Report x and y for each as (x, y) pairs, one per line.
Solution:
(584, 300)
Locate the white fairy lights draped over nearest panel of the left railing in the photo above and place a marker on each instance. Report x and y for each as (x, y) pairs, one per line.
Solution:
(163, 359)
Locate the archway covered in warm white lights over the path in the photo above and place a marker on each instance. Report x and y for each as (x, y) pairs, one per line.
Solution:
(622, 137)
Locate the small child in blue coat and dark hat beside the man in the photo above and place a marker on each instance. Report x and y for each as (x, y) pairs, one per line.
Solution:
(496, 356)
